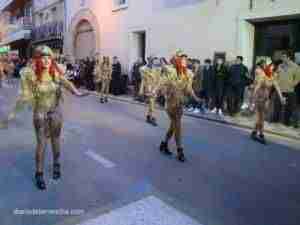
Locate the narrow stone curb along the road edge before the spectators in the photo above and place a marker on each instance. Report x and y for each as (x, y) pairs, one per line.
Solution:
(206, 118)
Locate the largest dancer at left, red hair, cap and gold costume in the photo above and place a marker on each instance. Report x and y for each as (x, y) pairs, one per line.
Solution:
(41, 88)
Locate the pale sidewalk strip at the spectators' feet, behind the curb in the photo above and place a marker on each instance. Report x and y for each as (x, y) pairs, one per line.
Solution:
(240, 121)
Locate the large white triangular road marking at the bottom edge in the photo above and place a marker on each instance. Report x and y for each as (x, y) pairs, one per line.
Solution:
(150, 210)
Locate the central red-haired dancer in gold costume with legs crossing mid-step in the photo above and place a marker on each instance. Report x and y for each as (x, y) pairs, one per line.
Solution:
(176, 84)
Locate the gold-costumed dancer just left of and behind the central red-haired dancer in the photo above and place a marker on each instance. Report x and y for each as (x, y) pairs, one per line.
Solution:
(151, 76)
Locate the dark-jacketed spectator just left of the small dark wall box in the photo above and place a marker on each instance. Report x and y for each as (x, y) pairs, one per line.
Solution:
(208, 82)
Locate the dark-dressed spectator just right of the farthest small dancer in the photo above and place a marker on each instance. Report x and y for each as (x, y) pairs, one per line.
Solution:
(116, 76)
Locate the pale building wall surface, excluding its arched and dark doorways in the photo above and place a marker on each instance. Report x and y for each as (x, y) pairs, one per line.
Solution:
(200, 27)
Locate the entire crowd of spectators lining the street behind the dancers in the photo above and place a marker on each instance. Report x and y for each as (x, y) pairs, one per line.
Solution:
(224, 87)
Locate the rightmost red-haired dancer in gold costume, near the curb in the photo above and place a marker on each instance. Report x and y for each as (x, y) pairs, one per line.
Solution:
(261, 95)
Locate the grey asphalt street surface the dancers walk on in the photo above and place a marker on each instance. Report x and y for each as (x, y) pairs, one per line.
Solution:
(113, 173)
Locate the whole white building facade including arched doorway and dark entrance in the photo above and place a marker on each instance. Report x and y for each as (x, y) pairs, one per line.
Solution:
(202, 28)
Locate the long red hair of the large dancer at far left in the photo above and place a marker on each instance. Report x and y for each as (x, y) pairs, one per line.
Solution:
(39, 68)
